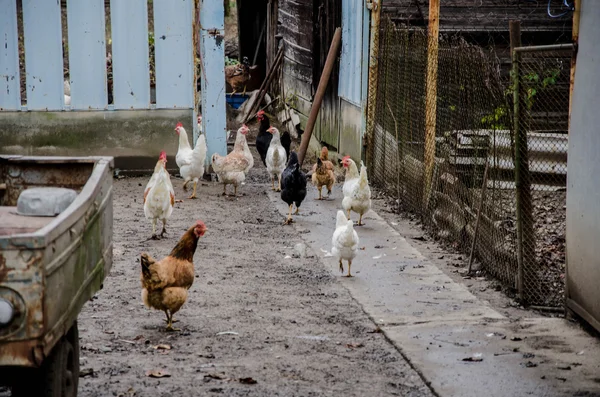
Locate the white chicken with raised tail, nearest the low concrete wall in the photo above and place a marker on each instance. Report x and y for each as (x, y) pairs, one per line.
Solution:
(190, 162)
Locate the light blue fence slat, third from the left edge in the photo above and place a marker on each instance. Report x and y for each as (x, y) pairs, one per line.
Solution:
(87, 54)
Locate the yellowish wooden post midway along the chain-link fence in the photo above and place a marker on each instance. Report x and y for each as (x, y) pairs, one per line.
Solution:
(431, 95)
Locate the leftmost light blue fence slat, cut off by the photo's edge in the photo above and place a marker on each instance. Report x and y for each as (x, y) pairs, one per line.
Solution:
(10, 89)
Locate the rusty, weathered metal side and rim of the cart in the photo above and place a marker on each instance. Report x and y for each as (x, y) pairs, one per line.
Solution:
(50, 273)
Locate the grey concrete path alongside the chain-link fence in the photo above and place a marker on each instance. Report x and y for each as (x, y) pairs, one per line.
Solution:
(459, 345)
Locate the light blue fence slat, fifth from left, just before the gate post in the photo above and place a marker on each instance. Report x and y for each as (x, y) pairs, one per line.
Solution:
(173, 53)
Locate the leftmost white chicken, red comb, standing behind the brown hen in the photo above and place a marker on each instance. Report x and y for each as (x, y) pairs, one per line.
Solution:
(159, 196)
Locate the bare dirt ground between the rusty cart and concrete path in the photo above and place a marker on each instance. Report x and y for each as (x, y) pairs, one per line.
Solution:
(289, 327)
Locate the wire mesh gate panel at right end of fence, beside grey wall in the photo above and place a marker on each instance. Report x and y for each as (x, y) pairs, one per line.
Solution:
(541, 79)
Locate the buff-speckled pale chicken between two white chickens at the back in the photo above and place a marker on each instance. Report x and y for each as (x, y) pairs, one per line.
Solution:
(231, 168)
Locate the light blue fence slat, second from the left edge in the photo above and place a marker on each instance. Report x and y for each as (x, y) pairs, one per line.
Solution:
(43, 54)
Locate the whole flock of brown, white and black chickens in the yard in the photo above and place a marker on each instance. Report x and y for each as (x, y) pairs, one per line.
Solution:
(165, 283)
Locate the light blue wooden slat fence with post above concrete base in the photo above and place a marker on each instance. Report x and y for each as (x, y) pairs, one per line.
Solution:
(87, 52)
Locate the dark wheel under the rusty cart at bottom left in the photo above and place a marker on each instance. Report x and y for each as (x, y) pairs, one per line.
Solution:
(59, 374)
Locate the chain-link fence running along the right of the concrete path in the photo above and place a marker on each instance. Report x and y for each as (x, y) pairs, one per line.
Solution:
(445, 148)
